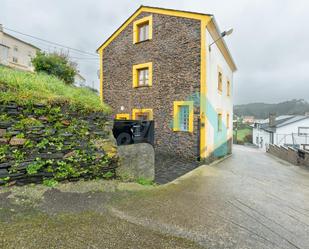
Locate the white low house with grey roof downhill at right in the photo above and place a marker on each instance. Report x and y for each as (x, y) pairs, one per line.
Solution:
(286, 130)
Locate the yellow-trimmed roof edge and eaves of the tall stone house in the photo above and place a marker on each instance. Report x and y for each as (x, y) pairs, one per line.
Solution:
(179, 13)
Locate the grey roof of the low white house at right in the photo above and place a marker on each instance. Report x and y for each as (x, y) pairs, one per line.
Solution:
(281, 121)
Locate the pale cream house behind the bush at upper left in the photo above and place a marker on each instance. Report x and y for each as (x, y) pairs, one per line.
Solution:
(16, 53)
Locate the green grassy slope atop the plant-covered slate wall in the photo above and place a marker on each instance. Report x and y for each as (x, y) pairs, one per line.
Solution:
(28, 88)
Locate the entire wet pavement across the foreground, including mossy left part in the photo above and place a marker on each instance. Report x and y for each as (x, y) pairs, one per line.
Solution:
(250, 200)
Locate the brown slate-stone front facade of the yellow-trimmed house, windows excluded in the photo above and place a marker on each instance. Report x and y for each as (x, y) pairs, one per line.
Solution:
(175, 54)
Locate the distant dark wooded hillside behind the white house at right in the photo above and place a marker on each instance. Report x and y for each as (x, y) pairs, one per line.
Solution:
(262, 110)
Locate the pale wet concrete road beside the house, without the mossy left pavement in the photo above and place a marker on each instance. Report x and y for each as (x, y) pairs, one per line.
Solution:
(251, 200)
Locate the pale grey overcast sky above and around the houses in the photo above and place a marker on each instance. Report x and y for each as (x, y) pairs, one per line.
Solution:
(270, 43)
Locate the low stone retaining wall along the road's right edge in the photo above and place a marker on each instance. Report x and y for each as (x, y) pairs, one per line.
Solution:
(294, 156)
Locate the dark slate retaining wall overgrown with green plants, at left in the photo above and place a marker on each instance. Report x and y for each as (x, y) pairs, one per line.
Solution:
(40, 142)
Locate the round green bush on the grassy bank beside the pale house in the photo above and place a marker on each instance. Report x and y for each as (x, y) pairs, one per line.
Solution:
(55, 64)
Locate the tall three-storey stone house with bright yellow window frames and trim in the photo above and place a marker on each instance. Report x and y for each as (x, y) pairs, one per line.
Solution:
(172, 67)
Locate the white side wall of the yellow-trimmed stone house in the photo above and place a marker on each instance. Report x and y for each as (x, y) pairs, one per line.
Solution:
(217, 102)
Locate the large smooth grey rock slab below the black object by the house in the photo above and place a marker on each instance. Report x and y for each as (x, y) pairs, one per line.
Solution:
(136, 161)
